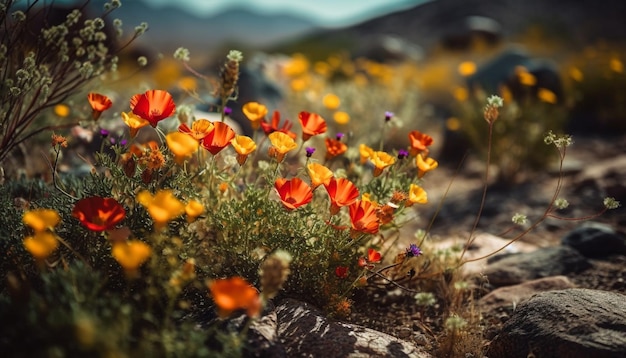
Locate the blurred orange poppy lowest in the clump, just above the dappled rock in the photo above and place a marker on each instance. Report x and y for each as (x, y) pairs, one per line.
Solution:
(233, 294)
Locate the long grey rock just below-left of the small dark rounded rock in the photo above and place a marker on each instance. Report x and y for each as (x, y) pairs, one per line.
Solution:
(544, 262)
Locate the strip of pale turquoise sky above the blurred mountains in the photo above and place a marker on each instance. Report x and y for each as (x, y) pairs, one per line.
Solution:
(324, 12)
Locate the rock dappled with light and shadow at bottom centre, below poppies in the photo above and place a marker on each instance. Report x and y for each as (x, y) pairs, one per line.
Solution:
(305, 332)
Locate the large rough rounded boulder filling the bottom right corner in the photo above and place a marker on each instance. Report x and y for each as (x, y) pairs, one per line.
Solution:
(569, 323)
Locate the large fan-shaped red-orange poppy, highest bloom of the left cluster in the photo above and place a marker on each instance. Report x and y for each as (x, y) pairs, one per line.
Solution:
(153, 106)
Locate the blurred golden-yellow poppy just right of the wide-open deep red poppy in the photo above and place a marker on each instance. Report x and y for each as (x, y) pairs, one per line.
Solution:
(162, 207)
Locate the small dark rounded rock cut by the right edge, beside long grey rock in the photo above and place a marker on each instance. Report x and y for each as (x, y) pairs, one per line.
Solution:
(594, 239)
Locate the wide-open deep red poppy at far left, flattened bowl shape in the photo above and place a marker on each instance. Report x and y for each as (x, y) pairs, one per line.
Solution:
(98, 214)
